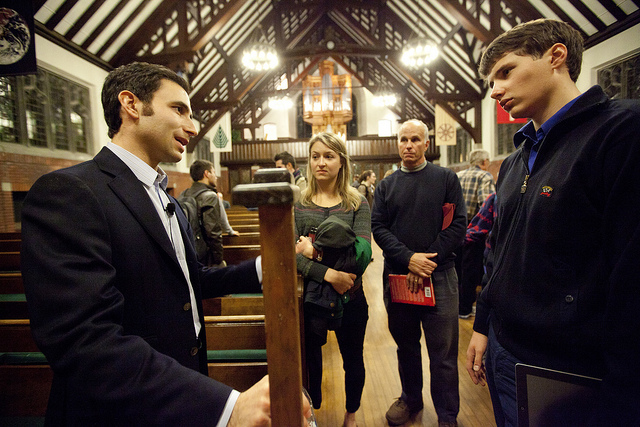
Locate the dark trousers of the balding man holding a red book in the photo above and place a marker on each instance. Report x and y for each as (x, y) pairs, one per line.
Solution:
(440, 325)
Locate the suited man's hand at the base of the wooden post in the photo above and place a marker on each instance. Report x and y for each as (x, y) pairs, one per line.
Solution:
(253, 407)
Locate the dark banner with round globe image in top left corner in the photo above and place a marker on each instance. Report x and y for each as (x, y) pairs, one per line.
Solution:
(17, 38)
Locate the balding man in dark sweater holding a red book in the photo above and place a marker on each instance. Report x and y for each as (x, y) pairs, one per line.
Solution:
(407, 224)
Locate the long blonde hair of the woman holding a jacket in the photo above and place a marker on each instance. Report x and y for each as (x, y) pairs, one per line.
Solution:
(350, 196)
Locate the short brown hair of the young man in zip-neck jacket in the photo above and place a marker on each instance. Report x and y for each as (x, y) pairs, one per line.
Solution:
(534, 39)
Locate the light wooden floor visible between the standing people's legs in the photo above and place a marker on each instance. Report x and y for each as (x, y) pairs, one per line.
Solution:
(382, 385)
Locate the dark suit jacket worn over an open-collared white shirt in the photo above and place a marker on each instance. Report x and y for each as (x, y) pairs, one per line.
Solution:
(110, 306)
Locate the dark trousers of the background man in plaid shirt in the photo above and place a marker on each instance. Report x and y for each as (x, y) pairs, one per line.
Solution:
(470, 272)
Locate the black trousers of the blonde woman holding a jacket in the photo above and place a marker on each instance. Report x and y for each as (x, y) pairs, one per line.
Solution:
(350, 336)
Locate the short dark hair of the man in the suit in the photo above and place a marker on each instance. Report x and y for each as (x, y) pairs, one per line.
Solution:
(143, 80)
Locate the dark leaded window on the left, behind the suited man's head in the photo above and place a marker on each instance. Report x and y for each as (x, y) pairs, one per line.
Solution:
(45, 110)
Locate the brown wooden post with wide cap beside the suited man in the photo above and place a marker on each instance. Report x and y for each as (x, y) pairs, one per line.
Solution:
(279, 281)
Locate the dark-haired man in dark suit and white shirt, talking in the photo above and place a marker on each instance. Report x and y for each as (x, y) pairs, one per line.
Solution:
(112, 281)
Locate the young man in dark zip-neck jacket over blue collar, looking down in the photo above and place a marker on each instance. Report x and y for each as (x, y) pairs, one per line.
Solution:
(563, 294)
